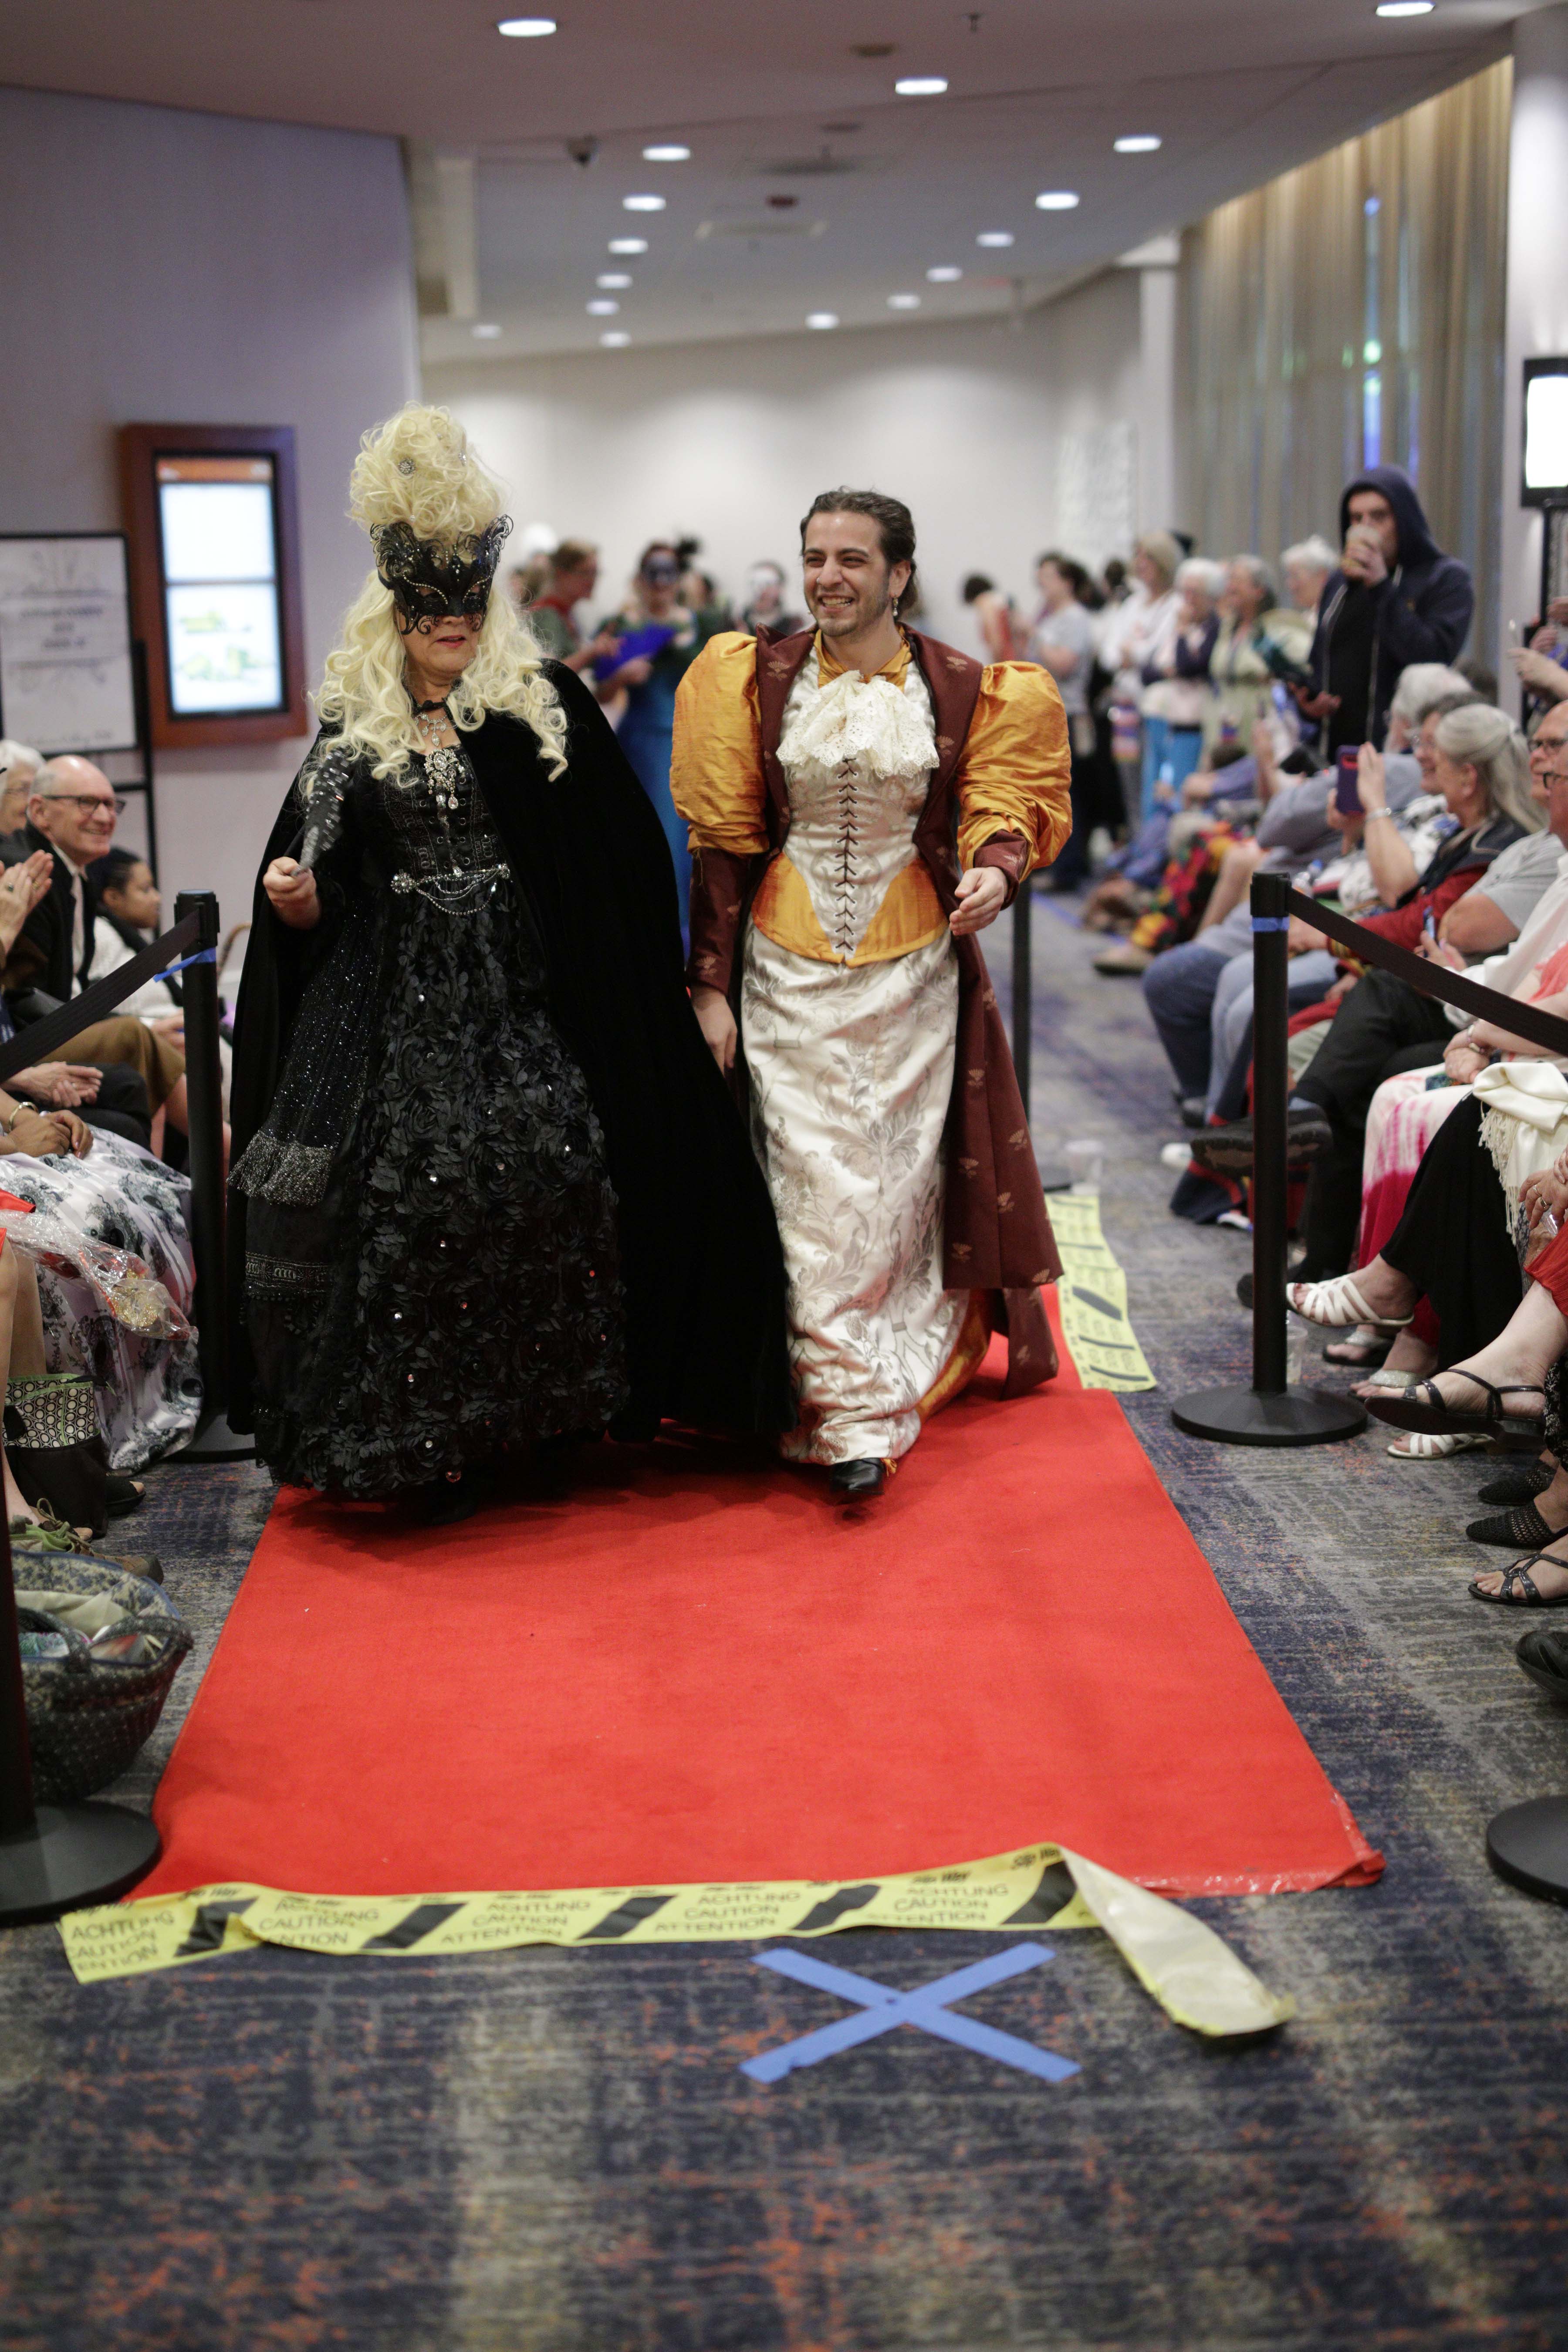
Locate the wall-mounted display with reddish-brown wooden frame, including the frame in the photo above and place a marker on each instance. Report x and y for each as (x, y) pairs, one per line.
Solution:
(215, 563)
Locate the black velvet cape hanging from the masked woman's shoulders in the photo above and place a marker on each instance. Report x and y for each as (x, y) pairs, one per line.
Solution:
(699, 1248)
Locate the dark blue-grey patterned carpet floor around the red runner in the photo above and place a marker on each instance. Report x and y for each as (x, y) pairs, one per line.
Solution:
(554, 2151)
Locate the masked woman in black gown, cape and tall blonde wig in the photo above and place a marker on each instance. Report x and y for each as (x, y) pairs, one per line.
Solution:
(488, 1184)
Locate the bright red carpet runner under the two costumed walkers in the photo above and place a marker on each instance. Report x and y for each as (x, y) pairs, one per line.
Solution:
(690, 1669)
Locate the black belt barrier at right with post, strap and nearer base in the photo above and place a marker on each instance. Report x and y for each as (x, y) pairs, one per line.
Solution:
(1527, 1843)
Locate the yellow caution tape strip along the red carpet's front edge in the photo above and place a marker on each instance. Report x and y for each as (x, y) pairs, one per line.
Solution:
(1191, 1972)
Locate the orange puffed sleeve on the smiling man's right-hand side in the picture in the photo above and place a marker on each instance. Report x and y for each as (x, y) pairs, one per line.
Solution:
(1017, 766)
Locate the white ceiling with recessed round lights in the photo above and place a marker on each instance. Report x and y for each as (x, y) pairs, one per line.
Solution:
(775, 102)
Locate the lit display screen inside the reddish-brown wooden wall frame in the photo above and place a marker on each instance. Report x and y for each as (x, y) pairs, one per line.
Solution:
(217, 523)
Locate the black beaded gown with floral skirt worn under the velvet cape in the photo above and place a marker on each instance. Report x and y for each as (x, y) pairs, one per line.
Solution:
(431, 1269)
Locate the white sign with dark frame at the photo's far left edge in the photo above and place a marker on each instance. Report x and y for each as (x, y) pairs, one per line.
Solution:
(67, 671)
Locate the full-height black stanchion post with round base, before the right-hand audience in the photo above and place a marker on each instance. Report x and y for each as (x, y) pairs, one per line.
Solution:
(1271, 1412)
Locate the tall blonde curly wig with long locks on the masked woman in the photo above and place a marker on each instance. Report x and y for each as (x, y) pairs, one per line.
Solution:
(420, 469)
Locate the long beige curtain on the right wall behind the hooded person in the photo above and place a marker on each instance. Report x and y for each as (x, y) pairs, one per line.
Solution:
(1353, 314)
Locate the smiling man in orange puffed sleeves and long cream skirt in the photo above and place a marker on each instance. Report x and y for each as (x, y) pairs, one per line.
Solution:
(864, 801)
